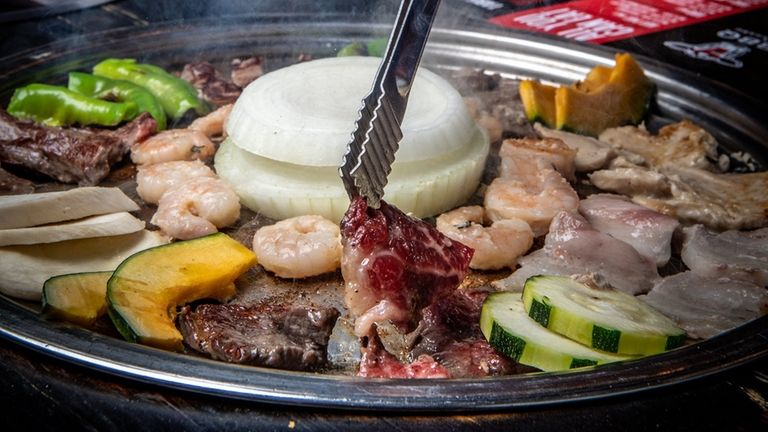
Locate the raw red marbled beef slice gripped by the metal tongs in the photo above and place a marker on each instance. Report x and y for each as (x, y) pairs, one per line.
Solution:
(394, 265)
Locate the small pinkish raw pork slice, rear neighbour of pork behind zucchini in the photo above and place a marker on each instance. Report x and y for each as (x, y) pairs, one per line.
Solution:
(649, 232)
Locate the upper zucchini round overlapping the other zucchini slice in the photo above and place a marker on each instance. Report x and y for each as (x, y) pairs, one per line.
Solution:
(602, 318)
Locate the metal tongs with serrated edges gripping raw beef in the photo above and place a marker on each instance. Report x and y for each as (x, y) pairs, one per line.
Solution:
(370, 153)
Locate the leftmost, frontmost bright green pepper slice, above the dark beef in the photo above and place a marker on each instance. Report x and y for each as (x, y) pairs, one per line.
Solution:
(59, 106)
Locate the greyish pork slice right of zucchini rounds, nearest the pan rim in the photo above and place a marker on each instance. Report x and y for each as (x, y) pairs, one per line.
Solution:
(705, 306)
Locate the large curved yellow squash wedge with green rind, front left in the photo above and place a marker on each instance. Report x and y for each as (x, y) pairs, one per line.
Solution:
(145, 290)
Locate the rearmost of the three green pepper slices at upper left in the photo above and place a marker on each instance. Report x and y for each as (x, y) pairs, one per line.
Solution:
(174, 94)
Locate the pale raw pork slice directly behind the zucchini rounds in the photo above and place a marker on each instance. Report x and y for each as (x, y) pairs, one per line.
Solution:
(573, 246)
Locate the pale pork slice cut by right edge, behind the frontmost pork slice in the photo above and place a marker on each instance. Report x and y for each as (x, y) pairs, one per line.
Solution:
(734, 254)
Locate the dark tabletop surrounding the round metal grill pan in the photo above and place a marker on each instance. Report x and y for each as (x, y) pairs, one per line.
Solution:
(42, 393)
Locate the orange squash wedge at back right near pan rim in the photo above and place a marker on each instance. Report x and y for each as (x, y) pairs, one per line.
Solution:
(607, 97)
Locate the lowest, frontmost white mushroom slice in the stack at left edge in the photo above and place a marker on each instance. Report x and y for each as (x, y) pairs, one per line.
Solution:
(24, 269)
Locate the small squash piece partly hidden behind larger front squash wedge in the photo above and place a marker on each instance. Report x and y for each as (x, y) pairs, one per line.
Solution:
(77, 297)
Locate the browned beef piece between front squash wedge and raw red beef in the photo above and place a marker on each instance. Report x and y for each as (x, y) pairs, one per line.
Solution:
(267, 334)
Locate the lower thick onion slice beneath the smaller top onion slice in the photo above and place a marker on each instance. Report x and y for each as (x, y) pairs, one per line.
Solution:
(280, 190)
